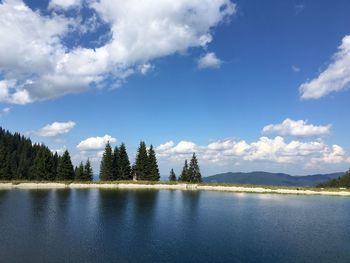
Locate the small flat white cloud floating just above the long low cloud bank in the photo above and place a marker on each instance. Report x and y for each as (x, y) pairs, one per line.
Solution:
(297, 128)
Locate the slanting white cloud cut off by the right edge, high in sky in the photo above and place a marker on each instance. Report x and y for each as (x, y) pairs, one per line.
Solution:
(334, 78)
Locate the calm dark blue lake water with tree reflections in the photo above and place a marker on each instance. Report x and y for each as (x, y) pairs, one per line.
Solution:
(171, 226)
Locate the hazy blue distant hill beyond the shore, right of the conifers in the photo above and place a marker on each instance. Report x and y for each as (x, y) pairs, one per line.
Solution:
(265, 178)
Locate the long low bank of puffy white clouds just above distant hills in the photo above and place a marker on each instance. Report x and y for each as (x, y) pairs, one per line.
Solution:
(270, 150)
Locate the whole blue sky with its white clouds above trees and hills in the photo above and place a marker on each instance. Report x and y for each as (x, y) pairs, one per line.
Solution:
(246, 84)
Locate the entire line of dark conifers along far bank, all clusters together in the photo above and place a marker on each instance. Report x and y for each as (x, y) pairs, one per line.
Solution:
(20, 159)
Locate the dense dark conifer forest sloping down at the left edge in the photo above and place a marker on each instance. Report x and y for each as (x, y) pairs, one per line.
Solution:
(22, 160)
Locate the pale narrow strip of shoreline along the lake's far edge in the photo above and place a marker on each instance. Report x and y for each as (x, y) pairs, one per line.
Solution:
(177, 186)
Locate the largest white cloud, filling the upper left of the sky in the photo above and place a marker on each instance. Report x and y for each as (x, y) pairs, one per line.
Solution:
(36, 64)
